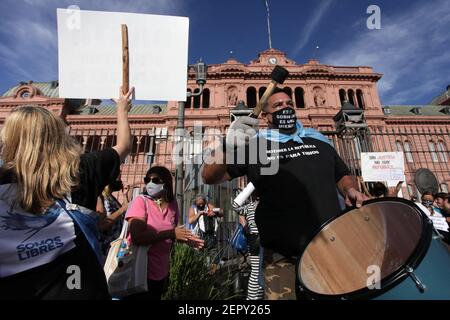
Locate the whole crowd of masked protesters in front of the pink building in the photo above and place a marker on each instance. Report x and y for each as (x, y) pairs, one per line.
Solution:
(58, 209)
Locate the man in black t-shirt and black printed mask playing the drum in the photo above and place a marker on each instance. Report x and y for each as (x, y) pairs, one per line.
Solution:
(297, 198)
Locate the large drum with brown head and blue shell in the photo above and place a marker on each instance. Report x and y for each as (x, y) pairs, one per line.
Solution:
(367, 252)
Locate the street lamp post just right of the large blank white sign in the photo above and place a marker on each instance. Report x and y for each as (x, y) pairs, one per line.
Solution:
(200, 75)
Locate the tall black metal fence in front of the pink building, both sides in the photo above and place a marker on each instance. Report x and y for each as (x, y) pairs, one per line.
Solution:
(423, 147)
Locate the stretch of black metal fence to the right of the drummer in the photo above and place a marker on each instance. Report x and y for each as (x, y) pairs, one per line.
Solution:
(423, 147)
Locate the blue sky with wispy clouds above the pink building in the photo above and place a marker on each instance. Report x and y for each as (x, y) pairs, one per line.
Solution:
(411, 49)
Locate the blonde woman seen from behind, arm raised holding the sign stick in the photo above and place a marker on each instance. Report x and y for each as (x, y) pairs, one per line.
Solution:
(47, 243)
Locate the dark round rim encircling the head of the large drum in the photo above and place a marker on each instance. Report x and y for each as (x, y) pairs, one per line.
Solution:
(388, 282)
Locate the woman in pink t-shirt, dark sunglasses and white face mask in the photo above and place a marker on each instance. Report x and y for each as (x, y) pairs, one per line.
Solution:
(153, 220)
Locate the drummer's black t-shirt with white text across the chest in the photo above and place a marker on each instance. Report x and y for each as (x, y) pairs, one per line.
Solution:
(300, 197)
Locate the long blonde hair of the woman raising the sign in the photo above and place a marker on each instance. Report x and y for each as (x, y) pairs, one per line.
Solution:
(42, 157)
